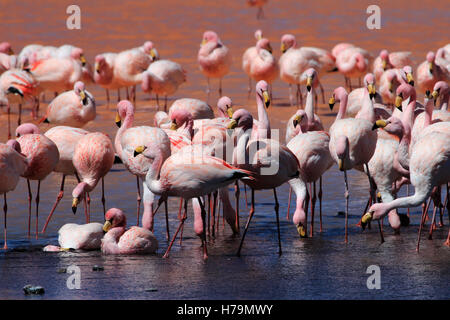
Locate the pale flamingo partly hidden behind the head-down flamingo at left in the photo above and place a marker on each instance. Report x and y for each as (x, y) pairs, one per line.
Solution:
(65, 138)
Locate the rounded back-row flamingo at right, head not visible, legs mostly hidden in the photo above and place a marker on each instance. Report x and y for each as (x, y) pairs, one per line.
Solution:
(353, 62)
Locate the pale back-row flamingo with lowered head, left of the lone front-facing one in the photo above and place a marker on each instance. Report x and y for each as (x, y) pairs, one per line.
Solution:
(163, 77)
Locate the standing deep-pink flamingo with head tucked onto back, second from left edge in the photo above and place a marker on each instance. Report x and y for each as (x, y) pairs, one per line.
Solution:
(42, 155)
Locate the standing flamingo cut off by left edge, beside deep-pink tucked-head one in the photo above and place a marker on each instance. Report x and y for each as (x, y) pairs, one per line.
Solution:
(13, 165)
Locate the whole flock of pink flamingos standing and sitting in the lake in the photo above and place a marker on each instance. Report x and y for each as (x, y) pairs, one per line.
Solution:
(194, 154)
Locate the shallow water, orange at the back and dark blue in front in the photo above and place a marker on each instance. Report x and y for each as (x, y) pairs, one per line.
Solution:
(319, 267)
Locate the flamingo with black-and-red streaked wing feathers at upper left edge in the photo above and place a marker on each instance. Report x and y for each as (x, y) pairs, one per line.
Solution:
(15, 87)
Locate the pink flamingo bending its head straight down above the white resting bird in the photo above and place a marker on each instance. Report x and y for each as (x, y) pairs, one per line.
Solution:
(92, 159)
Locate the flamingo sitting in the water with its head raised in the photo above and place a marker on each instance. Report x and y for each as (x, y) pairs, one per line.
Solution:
(117, 240)
